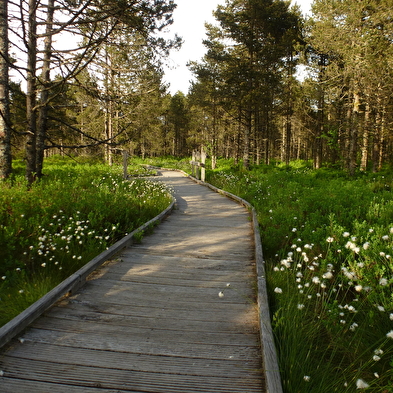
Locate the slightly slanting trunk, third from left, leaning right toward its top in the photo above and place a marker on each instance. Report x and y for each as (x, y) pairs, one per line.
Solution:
(43, 113)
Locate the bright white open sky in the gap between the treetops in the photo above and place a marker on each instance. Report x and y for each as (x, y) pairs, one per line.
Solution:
(189, 23)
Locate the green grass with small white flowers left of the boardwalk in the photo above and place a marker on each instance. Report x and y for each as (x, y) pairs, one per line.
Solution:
(51, 229)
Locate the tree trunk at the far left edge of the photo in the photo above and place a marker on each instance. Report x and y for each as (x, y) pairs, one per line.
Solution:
(5, 130)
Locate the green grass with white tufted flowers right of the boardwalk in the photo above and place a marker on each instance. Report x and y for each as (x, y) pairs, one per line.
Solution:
(328, 245)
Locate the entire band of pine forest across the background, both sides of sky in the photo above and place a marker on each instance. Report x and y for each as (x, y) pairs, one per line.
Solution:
(247, 101)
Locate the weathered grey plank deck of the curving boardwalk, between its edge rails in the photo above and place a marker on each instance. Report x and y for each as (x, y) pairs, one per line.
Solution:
(152, 319)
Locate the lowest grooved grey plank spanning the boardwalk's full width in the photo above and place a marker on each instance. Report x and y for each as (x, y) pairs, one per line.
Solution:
(127, 380)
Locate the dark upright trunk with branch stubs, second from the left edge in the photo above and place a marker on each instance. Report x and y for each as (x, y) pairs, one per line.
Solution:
(31, 94)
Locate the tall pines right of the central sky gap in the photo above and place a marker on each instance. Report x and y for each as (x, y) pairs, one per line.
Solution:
(256, 108)
